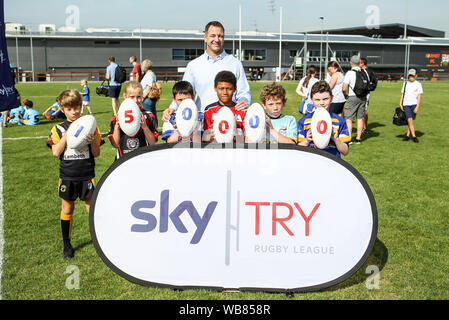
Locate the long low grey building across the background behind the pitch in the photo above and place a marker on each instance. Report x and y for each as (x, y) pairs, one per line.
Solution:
(53, 52)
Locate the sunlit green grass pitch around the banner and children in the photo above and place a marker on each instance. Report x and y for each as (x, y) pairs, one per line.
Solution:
(410, 183)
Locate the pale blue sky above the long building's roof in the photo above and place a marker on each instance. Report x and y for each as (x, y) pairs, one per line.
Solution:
(263, 15)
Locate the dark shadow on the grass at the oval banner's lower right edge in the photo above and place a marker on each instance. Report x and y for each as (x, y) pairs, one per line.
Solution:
(378, 258)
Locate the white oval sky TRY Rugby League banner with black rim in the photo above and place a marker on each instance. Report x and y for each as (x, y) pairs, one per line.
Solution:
(279, 218)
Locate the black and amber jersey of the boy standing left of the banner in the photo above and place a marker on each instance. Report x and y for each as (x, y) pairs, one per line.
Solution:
(75, 164)
